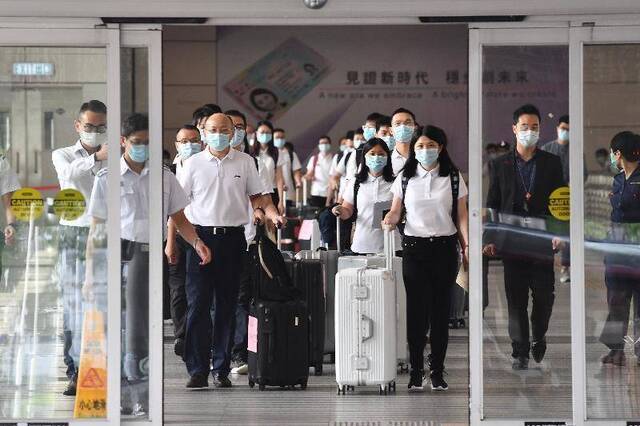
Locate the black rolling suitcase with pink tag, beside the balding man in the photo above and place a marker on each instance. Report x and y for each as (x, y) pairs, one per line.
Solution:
(278, 335)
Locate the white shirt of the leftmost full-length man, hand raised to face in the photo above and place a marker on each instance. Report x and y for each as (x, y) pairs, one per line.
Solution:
(76, 169)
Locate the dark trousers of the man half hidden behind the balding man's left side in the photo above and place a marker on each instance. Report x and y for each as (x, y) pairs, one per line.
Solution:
(178, 296)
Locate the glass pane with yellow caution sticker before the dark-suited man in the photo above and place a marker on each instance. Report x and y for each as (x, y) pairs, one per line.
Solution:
(526, 288)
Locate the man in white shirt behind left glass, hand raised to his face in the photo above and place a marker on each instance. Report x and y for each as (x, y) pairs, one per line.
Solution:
(77, 166)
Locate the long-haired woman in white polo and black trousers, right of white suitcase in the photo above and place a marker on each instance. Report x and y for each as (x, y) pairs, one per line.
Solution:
(434, 224)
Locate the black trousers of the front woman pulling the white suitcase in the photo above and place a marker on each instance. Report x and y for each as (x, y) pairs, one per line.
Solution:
(429, 269)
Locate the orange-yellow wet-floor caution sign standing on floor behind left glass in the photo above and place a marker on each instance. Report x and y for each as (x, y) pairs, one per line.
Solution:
(91, 392)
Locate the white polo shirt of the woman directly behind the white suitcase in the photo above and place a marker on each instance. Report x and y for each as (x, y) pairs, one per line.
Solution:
(368, 236)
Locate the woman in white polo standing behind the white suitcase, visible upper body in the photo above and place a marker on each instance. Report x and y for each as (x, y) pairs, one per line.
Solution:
(371, 185)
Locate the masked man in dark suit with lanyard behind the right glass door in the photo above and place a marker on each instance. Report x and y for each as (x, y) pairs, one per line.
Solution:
(520, 184)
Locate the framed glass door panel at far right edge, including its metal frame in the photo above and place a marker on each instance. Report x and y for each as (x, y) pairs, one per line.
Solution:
(605, 86)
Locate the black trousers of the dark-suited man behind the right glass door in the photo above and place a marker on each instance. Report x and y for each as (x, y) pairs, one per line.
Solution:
(520, 276)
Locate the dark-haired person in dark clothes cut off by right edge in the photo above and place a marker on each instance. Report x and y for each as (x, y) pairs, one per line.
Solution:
(622, 276)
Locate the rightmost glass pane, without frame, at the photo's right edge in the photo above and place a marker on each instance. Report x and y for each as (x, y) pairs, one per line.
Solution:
(612, 230)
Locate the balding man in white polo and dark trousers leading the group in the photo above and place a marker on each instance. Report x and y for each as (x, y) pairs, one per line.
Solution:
(219, 181)
